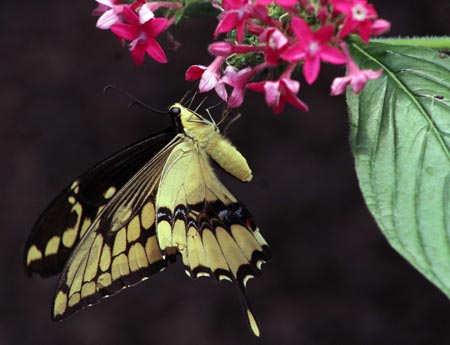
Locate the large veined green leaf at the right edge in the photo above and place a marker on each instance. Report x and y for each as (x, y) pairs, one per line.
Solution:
(400, 137)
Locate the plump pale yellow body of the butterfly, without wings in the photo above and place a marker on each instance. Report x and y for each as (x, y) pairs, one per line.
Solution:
(207, 137)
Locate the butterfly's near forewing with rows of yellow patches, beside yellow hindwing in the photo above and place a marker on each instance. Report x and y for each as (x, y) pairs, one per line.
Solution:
(120, 248)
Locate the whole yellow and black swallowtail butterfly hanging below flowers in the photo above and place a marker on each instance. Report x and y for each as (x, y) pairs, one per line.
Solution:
(131, 215)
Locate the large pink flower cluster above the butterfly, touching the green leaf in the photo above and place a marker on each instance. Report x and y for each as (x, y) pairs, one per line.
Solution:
(304, 32)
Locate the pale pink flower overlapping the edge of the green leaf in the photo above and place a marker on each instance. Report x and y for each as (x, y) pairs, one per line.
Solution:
(355, 76)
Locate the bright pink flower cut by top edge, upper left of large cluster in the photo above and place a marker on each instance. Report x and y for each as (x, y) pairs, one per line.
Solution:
(235, 16)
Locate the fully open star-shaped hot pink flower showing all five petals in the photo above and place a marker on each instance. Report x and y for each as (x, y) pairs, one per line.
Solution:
(312, 47)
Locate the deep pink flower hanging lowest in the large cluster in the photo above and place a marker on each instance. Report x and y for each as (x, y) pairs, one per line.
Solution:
(279, 92)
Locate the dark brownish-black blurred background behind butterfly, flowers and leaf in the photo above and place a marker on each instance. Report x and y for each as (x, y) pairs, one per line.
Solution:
(333, 279)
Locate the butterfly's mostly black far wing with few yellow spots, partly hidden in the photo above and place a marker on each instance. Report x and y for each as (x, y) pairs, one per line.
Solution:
(65, 221)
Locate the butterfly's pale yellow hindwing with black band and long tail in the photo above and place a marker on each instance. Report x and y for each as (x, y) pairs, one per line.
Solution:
(201, 220)
